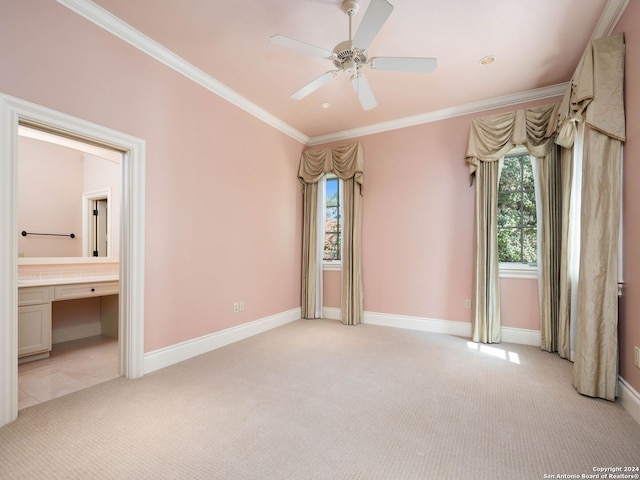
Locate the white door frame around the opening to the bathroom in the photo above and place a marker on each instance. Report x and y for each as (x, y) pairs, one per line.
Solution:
(14, 111)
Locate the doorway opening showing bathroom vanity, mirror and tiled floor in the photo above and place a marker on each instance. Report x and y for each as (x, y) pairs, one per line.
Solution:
(66, 184)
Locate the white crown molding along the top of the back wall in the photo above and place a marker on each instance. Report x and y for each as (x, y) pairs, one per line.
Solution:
(445, 113)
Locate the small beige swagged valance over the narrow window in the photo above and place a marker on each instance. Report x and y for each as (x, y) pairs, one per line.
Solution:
(346, 161)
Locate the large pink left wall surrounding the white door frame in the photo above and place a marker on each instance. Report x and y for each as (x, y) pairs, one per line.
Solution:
(223, 204)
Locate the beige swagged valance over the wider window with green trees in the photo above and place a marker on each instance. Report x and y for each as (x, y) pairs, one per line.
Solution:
(491, 138)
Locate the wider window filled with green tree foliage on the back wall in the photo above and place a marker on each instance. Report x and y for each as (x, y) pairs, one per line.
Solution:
(517, 232)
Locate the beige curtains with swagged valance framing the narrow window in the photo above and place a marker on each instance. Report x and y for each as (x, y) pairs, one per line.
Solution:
(347, 163)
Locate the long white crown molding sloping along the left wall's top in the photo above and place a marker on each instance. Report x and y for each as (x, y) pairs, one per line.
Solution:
(126, 32)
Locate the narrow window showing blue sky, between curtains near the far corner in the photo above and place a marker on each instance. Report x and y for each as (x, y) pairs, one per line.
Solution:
(332, 220)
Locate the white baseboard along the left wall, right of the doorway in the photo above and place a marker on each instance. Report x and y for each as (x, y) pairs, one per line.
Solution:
(191, 348)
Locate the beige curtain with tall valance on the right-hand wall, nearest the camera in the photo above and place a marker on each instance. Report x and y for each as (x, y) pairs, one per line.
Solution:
(596, 97)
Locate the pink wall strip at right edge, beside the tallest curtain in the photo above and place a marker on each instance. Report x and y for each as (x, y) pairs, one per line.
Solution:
(629, 326)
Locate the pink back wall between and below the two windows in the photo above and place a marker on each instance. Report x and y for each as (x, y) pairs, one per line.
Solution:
(418, 228)
